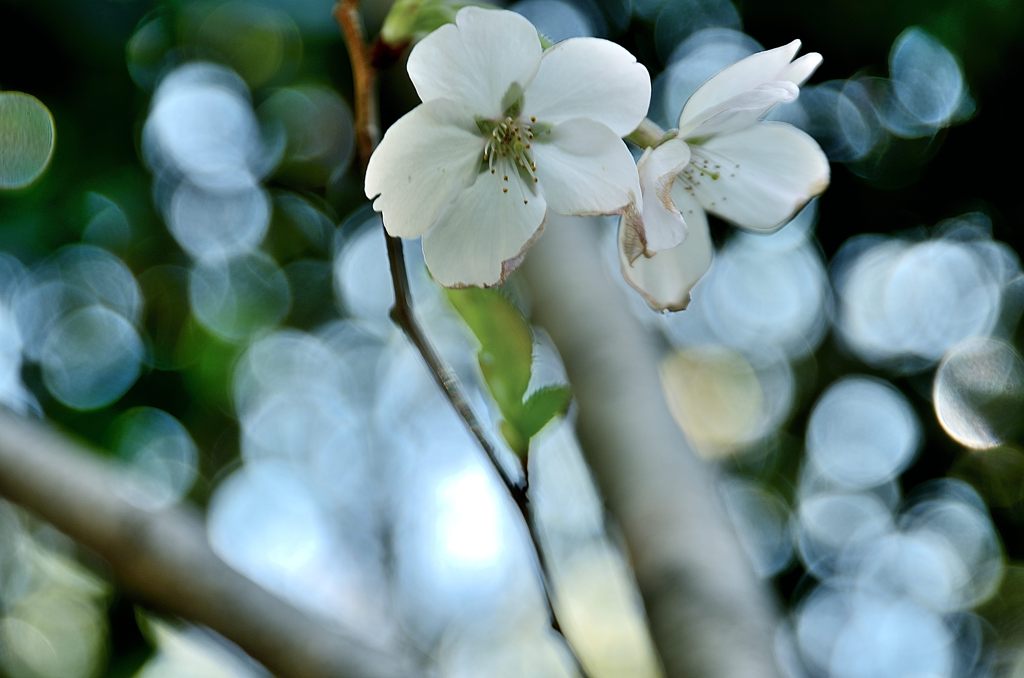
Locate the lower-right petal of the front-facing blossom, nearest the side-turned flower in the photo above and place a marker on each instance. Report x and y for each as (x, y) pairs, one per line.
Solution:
(585, 168)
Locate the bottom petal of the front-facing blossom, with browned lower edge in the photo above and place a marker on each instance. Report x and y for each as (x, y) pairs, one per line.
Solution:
(481, 240)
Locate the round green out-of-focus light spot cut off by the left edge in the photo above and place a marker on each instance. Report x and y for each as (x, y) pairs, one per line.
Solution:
(27, 136)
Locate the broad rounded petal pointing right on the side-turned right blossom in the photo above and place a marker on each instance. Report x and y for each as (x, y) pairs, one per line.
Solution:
(769, 173)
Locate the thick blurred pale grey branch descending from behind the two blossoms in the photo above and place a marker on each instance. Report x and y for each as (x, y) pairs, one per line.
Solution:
(710, 617)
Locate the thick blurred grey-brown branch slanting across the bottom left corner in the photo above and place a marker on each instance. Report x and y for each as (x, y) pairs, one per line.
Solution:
(164, 558)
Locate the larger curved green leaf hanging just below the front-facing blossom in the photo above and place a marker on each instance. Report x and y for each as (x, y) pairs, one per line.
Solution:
(506, 345)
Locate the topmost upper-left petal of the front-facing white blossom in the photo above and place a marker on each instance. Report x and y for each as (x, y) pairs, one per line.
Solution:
(477, 60)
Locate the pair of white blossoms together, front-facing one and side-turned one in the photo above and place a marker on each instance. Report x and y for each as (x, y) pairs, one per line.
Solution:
(508, 132)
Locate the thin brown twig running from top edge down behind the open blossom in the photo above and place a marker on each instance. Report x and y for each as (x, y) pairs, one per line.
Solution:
(368, 137)
